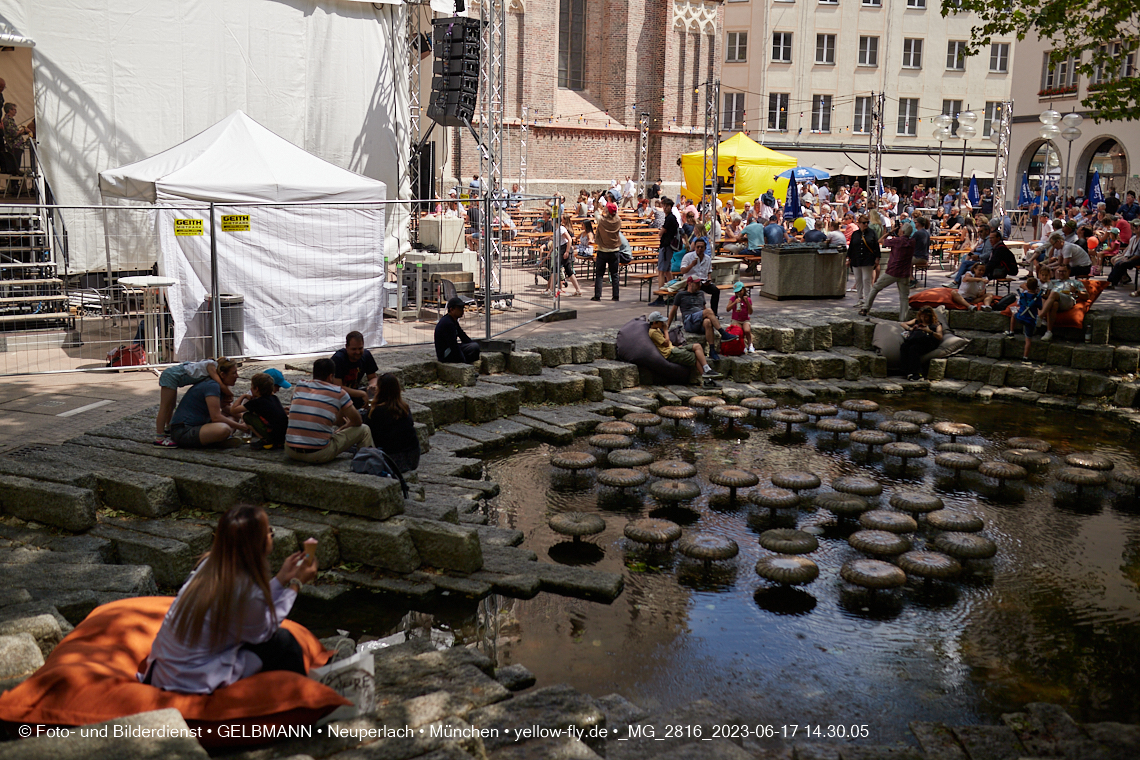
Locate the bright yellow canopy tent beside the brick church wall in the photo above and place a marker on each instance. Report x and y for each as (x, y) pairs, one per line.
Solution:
(746, 170)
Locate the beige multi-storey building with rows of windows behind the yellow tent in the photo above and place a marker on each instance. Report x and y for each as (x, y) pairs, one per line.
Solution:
(800, 78)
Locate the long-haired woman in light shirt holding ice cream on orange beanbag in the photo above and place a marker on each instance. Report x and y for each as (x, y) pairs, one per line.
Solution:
(225, 625)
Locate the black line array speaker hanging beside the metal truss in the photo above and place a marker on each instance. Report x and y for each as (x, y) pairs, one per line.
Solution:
(455, 81)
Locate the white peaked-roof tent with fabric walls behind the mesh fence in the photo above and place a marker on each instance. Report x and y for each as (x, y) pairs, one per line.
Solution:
(308, 274)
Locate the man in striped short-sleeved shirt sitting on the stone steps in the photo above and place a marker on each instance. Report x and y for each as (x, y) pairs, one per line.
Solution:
(322, 420)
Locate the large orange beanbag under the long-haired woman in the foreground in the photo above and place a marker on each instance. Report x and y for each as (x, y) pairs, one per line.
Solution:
(91, 677)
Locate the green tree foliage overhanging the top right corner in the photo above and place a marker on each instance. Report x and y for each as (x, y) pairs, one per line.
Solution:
(1081, 30)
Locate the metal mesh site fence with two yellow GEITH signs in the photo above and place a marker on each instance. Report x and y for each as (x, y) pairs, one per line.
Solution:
(259, 281)
